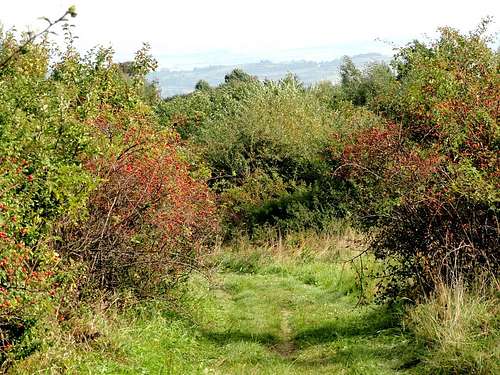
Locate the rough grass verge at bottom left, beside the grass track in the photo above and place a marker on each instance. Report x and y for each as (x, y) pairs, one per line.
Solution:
(143, 338)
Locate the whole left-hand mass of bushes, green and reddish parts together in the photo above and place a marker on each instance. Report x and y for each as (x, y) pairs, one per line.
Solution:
(94, 195)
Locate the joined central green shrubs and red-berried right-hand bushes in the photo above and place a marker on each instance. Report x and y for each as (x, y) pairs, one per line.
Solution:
(407, 151)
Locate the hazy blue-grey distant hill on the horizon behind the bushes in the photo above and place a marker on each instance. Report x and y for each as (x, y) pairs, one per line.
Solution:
(174, 82)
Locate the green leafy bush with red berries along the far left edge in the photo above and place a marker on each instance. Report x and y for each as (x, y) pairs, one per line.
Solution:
(42, 178)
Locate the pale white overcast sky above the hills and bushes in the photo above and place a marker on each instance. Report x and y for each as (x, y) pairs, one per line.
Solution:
(190, 33)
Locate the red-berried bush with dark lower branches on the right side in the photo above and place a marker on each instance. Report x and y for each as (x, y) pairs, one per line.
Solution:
(428, 179)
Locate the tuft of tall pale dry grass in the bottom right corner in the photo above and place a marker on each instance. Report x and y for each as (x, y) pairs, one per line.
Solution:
(461, 328)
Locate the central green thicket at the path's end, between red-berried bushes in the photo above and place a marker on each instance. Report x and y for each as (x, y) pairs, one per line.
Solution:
(265, 146)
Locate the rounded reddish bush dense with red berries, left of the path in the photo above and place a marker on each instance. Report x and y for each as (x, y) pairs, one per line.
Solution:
(148, 221)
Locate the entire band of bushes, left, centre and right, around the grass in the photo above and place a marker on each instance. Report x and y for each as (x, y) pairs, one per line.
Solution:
(106, 188)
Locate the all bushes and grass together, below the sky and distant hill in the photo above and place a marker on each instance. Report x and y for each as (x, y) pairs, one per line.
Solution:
(342, 228)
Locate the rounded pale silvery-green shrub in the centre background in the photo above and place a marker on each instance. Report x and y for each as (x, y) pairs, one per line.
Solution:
(278, 128)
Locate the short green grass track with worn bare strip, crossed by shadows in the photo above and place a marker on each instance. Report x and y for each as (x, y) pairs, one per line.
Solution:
(276, 324)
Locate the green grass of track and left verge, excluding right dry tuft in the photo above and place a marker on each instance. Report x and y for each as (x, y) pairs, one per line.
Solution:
(260, 313)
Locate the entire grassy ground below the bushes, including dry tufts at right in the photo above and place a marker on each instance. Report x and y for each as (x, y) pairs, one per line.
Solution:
(292, 307)
